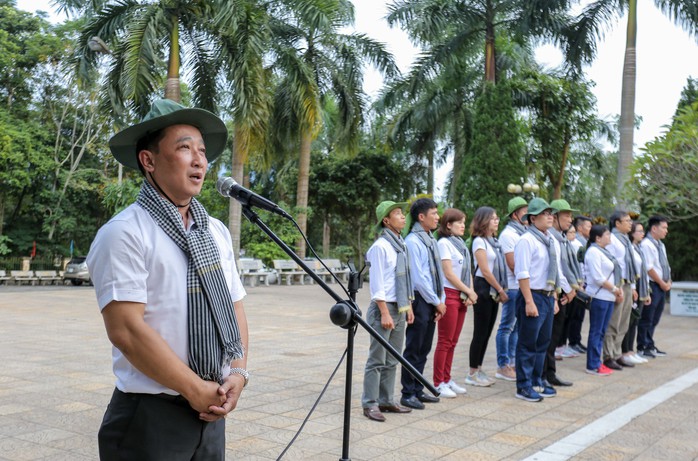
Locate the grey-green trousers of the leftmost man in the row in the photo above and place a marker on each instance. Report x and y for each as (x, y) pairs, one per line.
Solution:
(381, 366)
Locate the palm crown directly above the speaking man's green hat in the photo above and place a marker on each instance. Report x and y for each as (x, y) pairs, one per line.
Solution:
(150, 43)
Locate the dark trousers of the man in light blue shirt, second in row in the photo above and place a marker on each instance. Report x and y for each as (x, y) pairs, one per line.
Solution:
(418, 339)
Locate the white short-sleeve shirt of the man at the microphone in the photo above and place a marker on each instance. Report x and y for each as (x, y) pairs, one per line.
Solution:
(132, 259)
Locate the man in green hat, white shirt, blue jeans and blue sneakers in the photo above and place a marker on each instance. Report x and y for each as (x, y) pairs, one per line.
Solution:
(538, 270)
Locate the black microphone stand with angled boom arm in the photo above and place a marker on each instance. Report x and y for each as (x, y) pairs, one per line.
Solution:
(346, 314)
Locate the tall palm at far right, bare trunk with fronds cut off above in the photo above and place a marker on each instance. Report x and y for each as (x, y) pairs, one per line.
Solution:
(581, 48)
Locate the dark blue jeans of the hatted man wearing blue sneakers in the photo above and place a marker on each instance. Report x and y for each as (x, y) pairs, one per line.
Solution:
(534, 337)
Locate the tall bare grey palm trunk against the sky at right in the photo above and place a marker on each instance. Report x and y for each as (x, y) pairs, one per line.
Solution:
(627, 105)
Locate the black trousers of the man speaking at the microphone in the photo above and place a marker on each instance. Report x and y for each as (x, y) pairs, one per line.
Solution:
(147, 427)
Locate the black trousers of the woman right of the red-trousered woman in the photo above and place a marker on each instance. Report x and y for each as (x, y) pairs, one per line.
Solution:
(484, 318)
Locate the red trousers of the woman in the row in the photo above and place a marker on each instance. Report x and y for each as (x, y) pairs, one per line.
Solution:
(449, 328)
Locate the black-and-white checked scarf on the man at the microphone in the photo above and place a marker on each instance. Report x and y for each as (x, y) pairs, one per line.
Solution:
(214, 337)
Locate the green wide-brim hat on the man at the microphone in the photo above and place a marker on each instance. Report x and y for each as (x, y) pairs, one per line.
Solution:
(164, 113)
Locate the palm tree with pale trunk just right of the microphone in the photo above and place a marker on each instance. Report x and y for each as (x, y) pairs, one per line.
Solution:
(314, 61)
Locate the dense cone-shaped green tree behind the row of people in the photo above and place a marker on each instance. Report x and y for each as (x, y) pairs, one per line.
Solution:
(495, 158)
